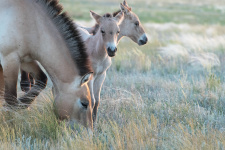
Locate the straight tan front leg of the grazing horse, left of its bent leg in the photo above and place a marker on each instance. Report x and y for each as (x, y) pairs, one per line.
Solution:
(11, 65)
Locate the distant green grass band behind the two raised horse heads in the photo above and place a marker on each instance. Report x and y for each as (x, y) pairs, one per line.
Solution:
(151, 12)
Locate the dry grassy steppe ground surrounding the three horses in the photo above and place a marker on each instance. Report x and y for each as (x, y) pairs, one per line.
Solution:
(168, 94)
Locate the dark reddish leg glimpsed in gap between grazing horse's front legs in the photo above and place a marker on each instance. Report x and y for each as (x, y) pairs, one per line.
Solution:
(25, 83)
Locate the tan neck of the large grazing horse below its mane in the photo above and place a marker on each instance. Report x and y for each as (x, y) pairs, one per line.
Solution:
(53, 52)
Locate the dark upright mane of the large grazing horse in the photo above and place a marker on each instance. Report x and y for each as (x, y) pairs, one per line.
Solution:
(70, 34)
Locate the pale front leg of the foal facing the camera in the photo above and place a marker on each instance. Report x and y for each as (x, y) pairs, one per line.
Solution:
(97, 90)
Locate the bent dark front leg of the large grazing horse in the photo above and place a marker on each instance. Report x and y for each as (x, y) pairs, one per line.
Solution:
(40, 84)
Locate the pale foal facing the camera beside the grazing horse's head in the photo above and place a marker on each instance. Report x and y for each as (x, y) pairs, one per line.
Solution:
(101, 47)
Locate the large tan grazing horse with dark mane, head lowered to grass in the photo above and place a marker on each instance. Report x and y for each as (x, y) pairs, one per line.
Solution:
(38, 30)
